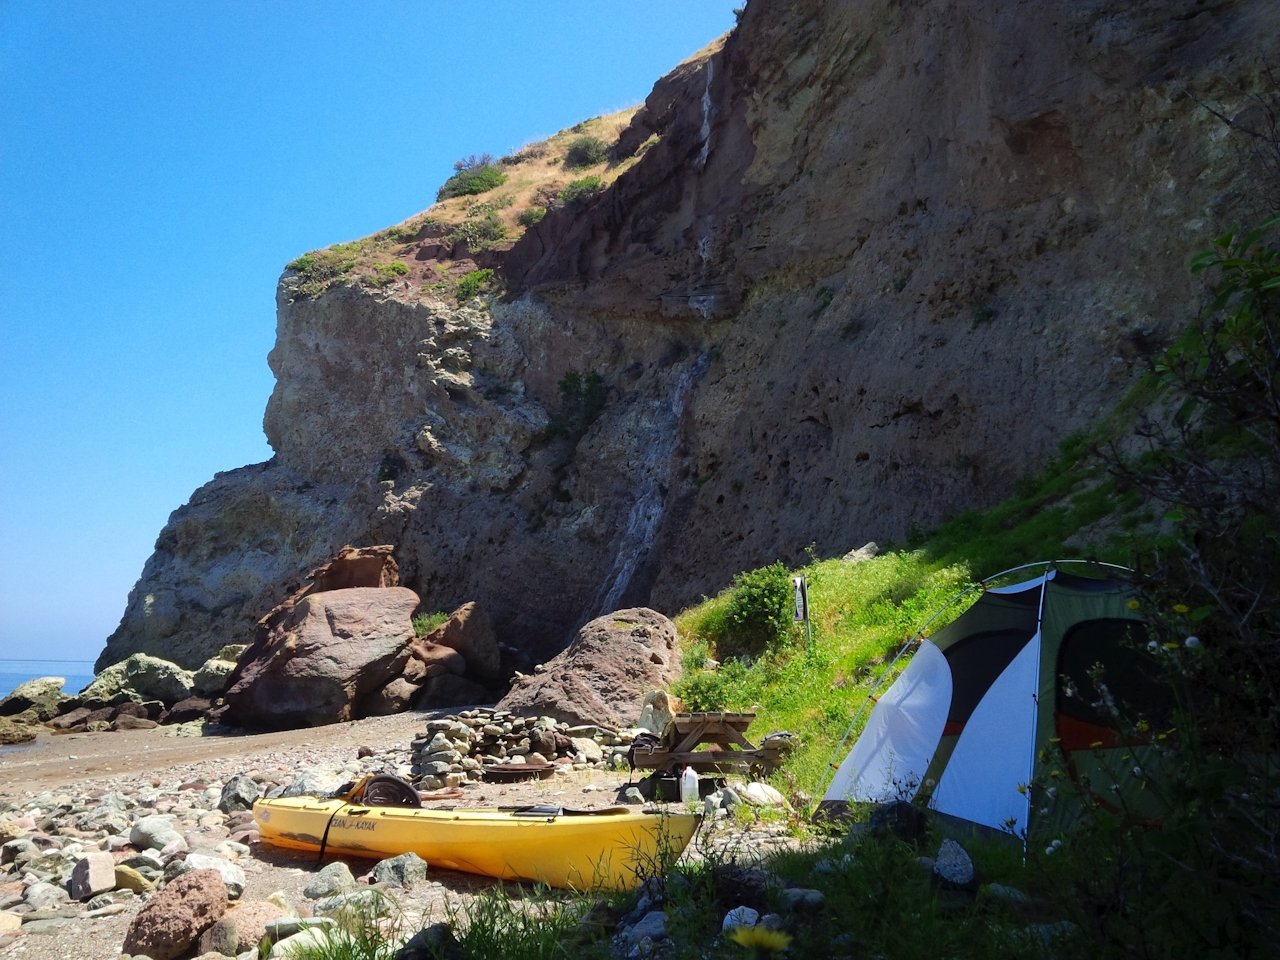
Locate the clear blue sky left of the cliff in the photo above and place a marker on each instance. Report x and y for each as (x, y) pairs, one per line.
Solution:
(161, 163)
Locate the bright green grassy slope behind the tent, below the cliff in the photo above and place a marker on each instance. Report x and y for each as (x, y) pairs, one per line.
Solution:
(862, 614)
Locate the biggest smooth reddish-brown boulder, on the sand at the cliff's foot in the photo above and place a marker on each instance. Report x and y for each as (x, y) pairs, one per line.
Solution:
(318, 659)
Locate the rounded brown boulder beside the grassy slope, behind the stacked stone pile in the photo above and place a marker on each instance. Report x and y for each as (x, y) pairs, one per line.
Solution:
(604, 675)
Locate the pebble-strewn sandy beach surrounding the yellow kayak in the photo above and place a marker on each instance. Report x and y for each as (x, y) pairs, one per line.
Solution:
(80, 794)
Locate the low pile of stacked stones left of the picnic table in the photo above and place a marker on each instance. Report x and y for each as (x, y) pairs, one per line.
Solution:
(459, 748)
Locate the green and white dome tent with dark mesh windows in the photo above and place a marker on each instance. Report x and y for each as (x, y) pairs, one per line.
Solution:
(1002, 697)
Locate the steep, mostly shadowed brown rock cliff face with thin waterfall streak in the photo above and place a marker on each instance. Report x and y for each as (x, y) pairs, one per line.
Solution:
(879, 262)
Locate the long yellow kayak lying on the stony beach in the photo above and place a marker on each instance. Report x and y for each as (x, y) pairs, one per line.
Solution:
(612, 849)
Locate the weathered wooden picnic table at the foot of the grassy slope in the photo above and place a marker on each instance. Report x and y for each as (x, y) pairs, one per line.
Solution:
(732, 751)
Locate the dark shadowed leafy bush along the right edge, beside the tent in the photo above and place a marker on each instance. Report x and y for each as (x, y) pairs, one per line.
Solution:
(1203, 876)
